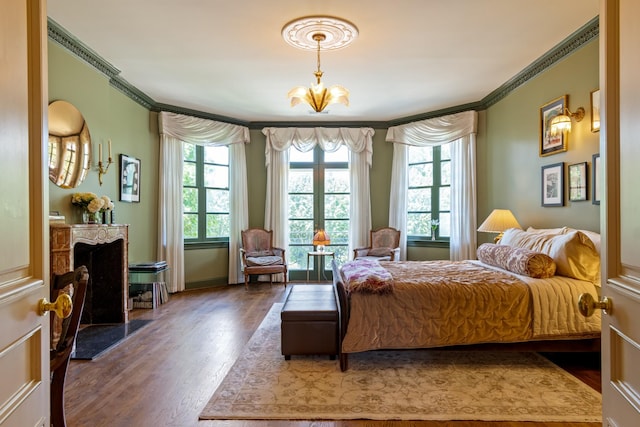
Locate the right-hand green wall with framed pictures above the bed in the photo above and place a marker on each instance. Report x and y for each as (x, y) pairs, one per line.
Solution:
(508, 162)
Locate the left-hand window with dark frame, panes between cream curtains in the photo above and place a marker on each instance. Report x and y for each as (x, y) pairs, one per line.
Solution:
(205, 182)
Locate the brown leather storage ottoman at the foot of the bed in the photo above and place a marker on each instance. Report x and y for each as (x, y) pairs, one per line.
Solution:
(310, 321)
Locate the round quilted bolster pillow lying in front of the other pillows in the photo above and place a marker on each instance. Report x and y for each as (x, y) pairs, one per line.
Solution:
(517, 260)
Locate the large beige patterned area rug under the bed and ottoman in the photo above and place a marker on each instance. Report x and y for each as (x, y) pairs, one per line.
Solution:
(398, 385)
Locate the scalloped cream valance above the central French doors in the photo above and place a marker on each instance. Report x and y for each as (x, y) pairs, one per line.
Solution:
(358, 140)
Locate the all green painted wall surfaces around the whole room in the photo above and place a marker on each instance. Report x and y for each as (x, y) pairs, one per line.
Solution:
(508, 163)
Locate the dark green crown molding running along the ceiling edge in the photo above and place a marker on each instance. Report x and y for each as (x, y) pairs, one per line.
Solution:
(575, 41)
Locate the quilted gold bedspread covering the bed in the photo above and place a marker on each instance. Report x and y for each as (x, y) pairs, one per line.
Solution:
(442, 303)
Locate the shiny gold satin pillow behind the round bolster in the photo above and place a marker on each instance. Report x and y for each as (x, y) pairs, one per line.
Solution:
(574, 253)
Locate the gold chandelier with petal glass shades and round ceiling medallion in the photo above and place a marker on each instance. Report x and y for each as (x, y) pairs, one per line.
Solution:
(319, 32)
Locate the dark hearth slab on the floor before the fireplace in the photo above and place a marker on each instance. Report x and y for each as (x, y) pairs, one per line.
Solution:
(95, 340)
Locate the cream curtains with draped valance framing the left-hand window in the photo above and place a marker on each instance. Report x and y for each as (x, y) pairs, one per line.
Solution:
(175, 130)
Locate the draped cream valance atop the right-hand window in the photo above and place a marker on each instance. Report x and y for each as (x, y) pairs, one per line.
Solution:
(435, 131)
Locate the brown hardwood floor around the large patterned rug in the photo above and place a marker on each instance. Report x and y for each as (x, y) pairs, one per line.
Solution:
(164, 374)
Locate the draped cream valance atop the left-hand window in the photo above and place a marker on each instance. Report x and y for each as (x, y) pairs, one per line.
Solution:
(195, 130)
